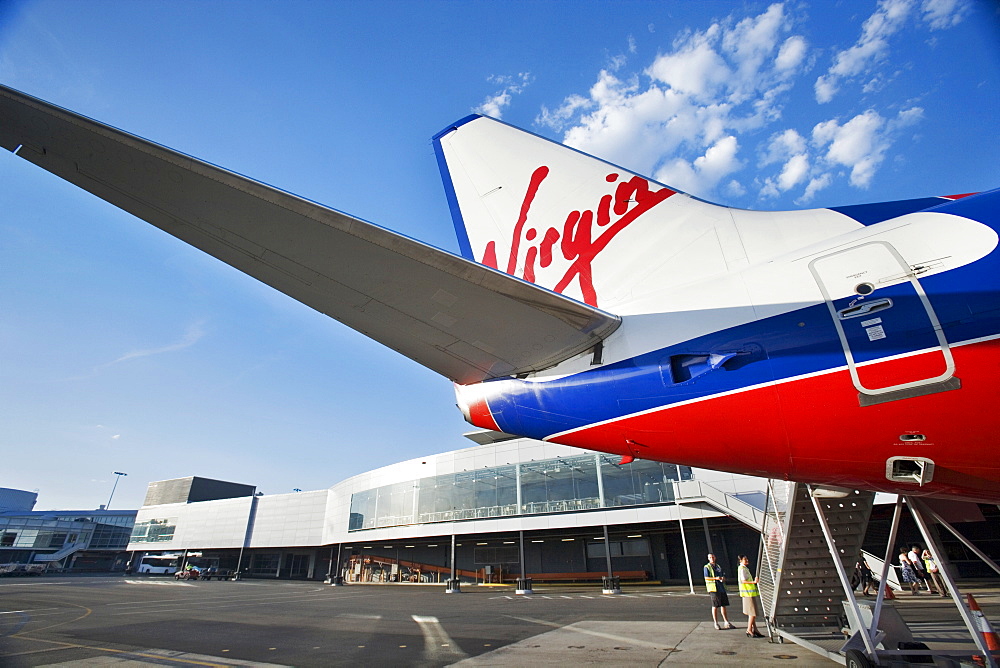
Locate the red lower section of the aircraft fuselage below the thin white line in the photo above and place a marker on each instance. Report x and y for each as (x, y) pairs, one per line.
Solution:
(813, 429)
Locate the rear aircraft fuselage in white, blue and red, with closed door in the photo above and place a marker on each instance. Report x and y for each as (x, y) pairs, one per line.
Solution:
(852, 363)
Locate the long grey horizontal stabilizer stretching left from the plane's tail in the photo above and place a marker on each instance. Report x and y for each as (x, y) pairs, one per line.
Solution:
(459, 318)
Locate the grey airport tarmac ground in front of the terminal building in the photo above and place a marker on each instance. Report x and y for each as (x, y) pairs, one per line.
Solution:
(132, 621)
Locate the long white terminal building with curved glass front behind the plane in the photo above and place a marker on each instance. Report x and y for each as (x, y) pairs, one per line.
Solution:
(558, 508)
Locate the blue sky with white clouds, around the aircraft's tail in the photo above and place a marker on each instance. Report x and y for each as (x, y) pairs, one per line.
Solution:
(124, 349)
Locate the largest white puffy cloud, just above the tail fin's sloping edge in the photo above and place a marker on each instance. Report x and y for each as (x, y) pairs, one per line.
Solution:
(679, 118)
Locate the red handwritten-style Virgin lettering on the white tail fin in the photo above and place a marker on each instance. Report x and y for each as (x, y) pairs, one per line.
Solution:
(577, 243)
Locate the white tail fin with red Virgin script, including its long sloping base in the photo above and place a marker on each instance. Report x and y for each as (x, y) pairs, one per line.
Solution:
(580, 226)
